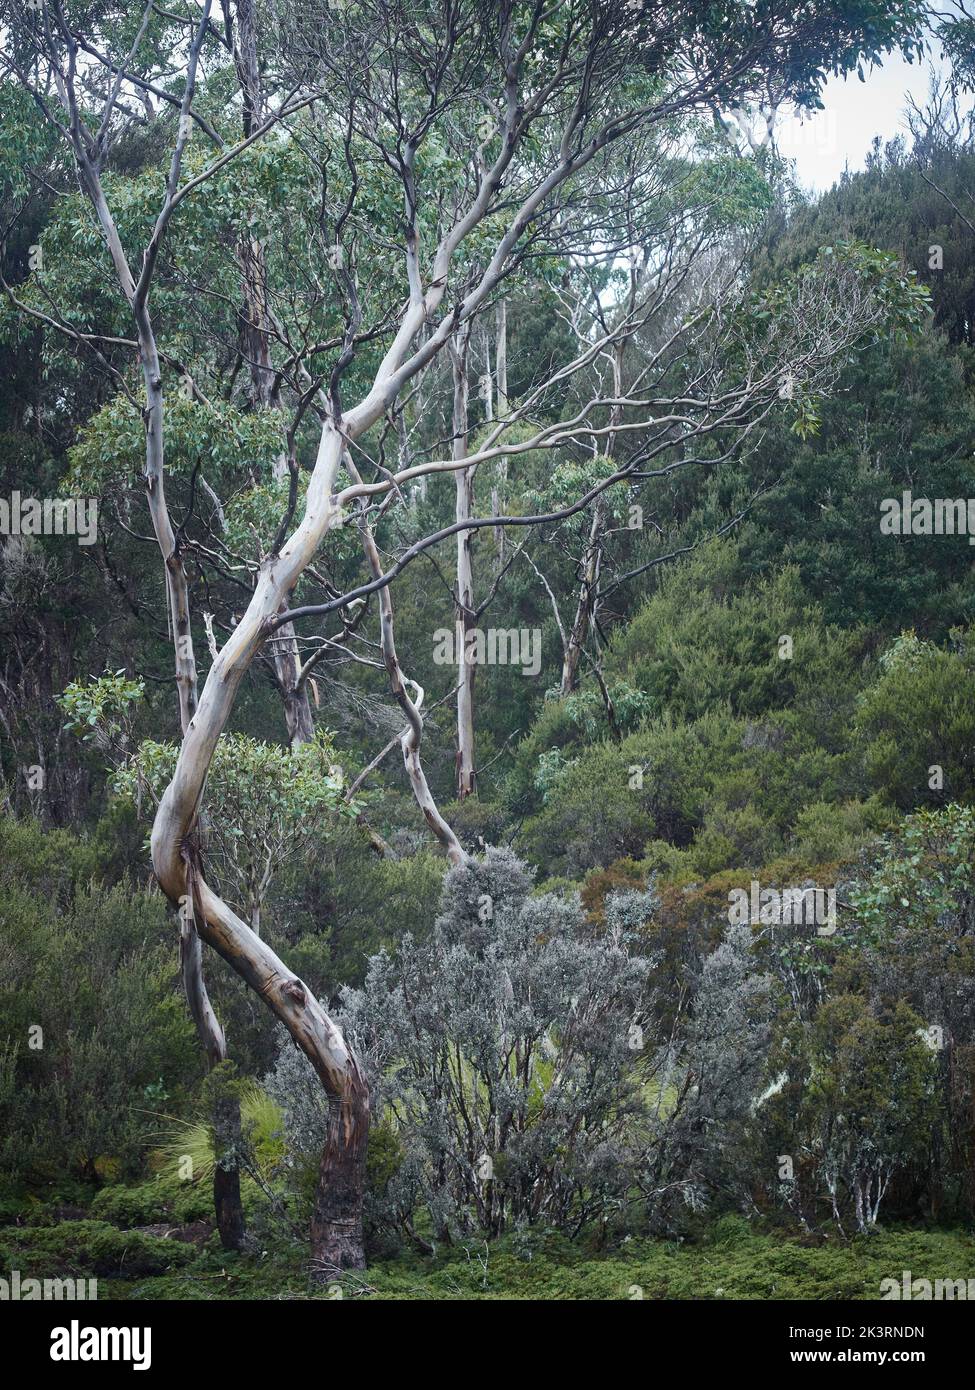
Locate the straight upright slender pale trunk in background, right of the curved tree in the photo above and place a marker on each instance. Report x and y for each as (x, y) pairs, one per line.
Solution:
(465, 582)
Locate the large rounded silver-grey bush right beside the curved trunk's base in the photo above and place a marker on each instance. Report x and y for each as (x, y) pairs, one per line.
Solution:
(503, 1052)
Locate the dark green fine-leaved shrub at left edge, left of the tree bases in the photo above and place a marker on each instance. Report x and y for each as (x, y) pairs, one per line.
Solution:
(98, 1039)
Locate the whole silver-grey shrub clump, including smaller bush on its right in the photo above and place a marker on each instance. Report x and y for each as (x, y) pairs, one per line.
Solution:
(515, 1058)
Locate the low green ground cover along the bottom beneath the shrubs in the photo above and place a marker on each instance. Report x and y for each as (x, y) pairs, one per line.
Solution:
(730, 1261)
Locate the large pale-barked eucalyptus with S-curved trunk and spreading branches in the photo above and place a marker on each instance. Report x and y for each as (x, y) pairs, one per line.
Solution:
(421, 222)
